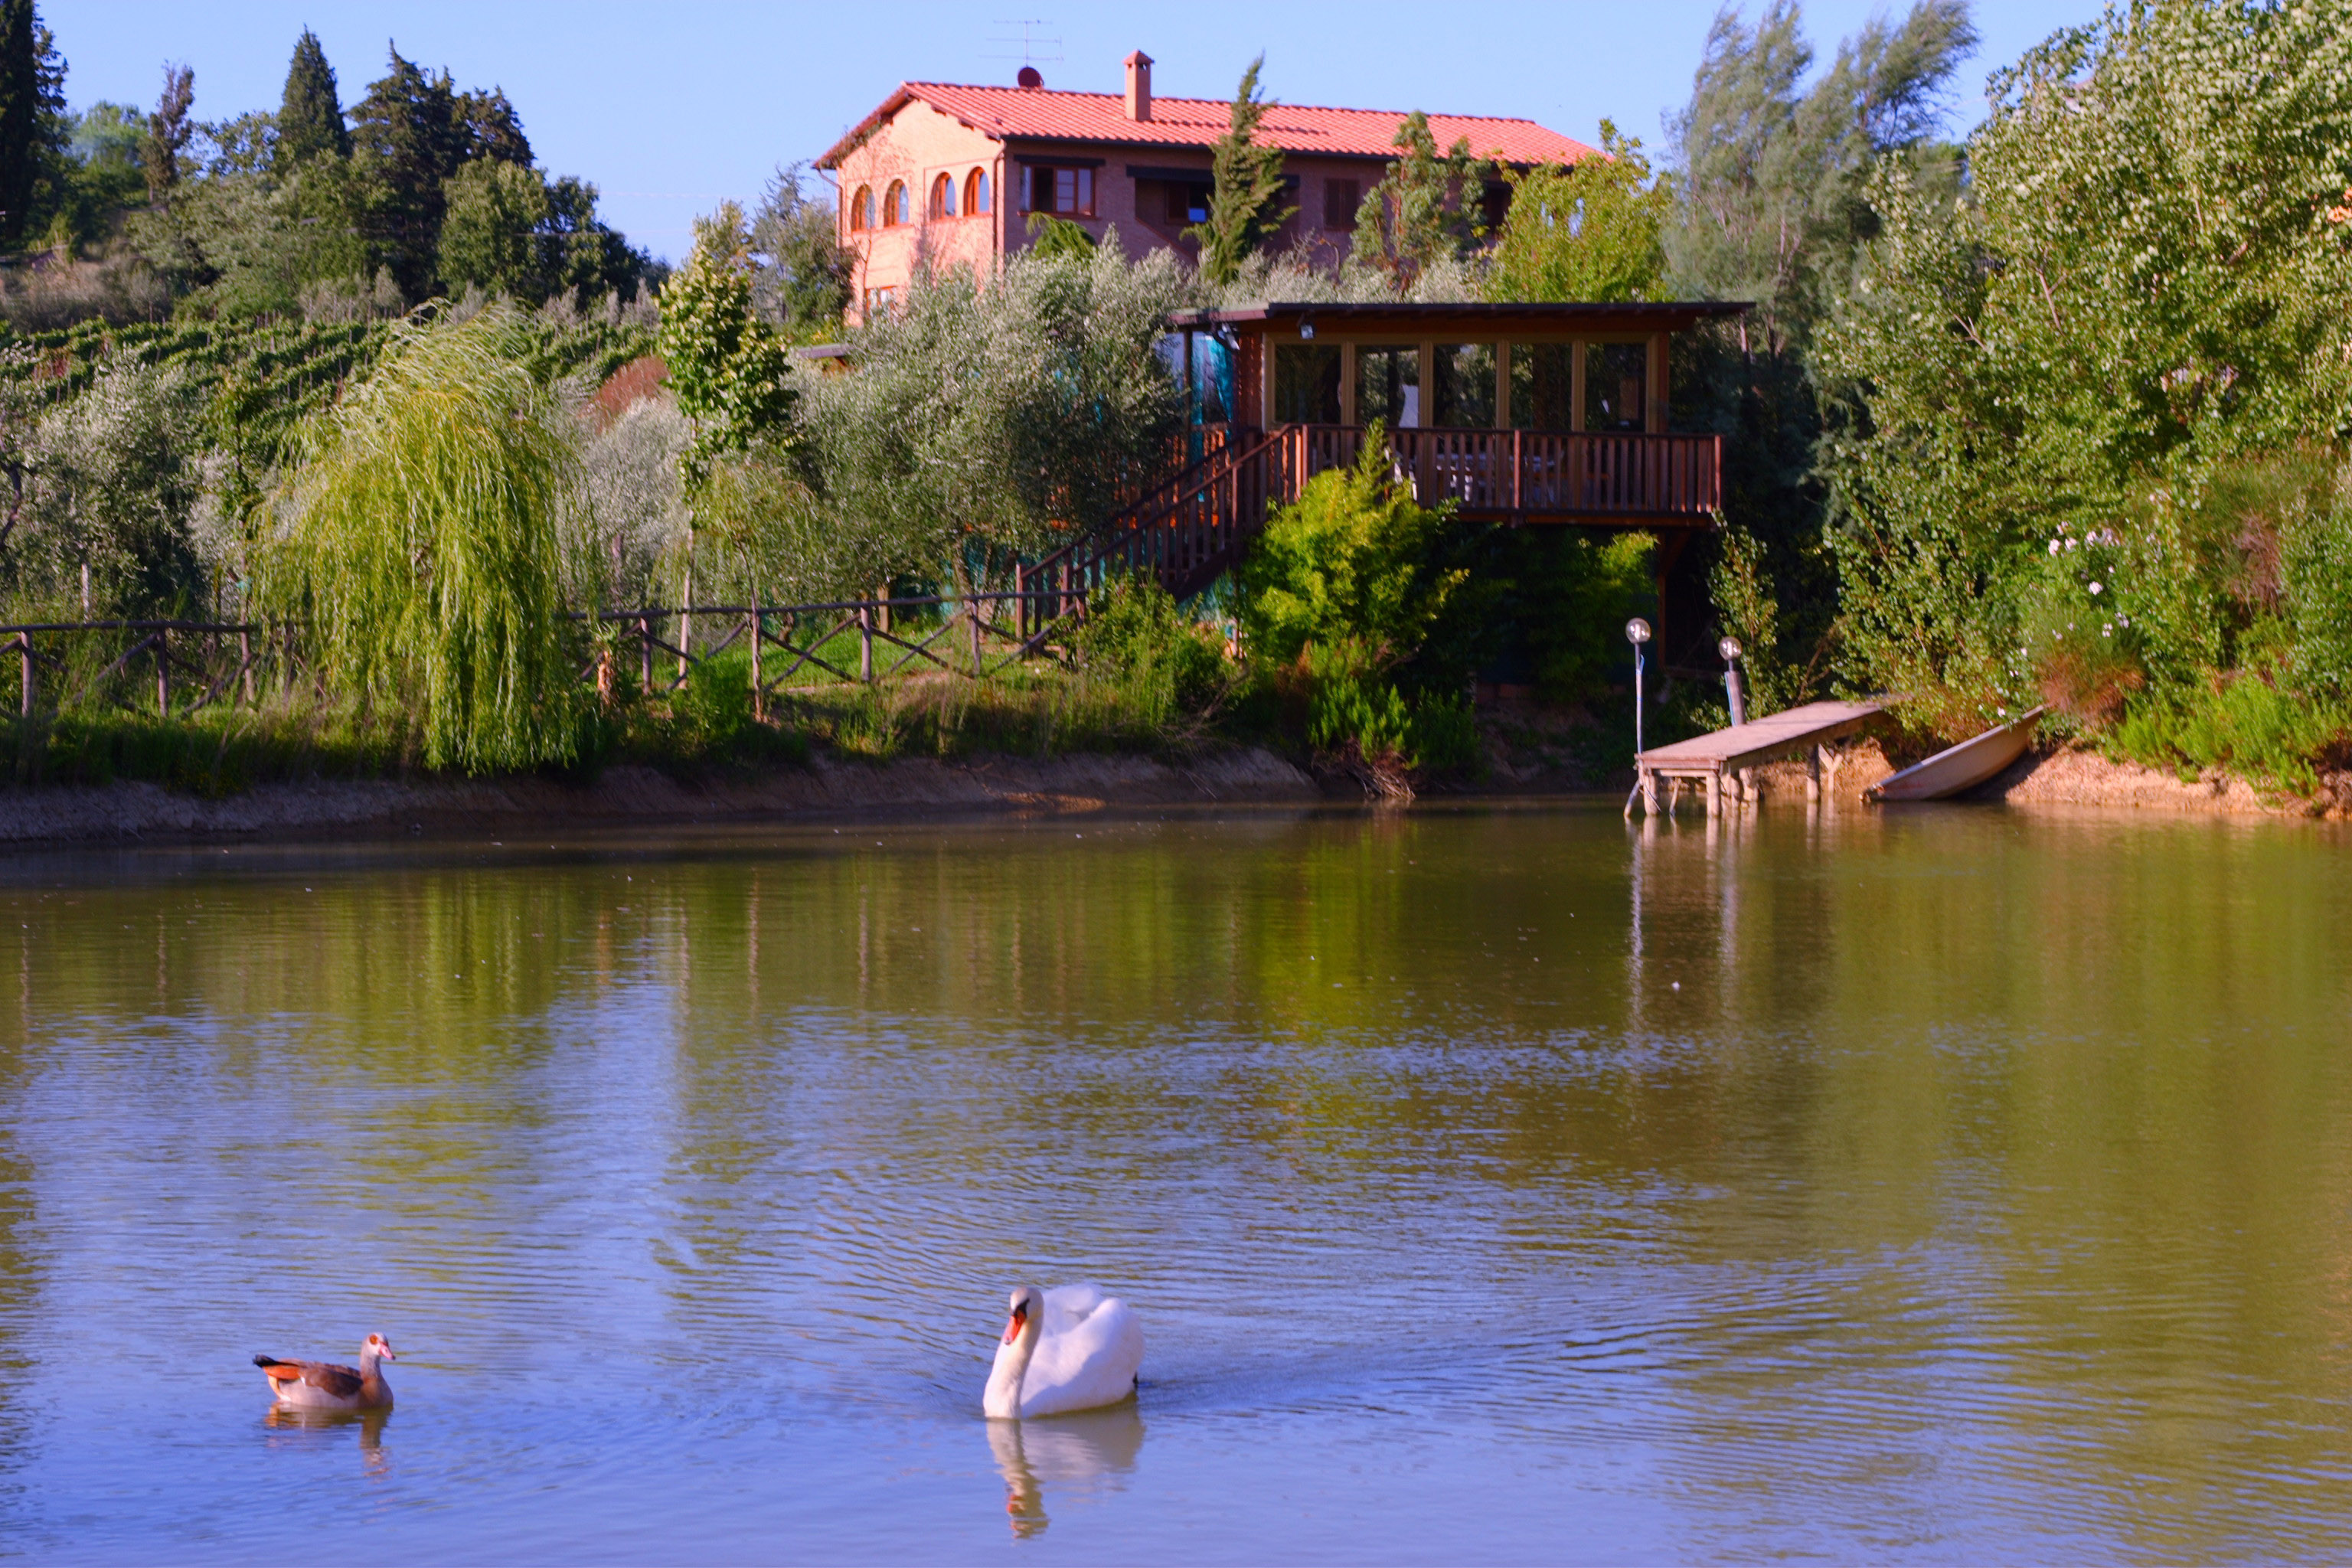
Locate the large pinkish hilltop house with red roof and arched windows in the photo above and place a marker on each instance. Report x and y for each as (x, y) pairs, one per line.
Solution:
(954, 173)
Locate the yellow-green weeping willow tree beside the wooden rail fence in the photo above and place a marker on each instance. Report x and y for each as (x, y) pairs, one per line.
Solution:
(425, 547)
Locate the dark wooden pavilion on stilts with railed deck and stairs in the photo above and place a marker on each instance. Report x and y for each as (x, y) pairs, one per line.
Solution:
(1514, 413)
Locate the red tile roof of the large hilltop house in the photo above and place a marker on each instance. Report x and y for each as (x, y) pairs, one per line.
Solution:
(1198, 123)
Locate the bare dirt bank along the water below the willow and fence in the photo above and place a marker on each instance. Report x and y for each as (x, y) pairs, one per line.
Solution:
(646, 796)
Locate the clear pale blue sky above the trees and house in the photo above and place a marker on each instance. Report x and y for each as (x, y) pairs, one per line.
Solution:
(676, 107)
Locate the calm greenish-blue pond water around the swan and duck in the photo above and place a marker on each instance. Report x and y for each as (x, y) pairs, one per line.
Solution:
(1492, 1184)
